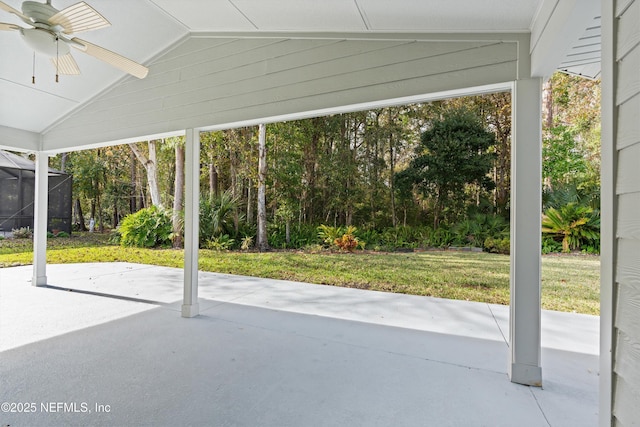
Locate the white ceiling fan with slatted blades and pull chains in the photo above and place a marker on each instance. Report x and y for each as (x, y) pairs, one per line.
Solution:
(53, 30)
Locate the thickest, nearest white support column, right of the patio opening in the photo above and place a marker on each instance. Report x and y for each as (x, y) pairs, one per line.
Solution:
(526, 199)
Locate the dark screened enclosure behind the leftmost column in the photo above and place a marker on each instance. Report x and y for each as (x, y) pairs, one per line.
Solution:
(17, 191)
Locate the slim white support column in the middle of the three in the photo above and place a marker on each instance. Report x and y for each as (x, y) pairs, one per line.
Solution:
(190, 306)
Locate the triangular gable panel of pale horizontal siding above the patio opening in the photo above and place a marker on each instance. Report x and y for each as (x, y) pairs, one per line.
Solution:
(212, 81)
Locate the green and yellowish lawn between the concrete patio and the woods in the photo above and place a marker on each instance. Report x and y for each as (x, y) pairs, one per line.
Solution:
(569, 282)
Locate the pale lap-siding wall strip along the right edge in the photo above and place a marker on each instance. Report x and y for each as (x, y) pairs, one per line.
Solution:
(626, 356)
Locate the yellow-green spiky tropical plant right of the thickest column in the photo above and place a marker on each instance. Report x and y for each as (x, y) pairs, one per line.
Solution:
(574, 224)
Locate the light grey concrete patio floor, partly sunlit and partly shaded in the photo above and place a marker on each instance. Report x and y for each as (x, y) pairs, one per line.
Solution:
(105, 345)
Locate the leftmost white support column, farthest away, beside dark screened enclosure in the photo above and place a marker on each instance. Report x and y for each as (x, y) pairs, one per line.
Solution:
(41, 203)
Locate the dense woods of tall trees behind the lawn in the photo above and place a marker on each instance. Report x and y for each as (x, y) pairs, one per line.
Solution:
(349, 169)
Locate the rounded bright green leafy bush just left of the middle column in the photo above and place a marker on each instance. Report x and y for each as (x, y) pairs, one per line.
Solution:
(146, 228)
